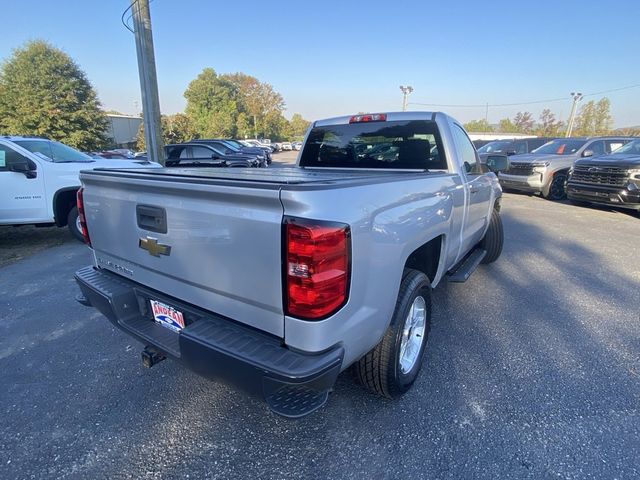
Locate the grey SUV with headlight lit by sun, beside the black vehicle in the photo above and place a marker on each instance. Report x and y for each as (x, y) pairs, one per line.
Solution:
(546, 169)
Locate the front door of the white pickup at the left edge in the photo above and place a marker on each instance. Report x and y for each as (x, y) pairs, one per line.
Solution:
(24, 199)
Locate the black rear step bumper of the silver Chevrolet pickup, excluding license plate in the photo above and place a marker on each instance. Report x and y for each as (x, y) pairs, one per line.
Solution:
(292, 383)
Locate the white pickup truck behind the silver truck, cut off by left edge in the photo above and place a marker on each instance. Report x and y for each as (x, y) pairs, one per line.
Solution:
(39, 179)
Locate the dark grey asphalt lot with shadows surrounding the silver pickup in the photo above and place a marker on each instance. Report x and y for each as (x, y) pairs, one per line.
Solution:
(532, 371)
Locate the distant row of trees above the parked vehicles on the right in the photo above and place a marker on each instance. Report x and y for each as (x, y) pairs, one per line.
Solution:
(593, 118)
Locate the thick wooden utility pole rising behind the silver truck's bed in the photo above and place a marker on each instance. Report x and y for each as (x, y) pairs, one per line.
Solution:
(148, 80)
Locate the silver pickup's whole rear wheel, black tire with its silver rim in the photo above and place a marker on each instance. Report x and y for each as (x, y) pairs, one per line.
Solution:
(393, 365)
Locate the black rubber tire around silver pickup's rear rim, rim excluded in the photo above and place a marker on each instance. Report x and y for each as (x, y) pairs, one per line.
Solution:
(380, 370)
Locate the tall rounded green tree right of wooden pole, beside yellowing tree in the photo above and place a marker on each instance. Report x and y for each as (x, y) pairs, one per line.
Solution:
(211, 105)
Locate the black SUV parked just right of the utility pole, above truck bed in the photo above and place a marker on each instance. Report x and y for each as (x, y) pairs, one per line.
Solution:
(202, 154)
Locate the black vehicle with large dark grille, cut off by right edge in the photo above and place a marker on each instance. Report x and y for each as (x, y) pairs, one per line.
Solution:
(612, 179)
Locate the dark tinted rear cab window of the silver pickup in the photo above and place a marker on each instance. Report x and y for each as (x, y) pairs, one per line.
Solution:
(398, 145)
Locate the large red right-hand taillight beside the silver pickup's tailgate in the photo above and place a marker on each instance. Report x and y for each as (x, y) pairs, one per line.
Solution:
(317, 267)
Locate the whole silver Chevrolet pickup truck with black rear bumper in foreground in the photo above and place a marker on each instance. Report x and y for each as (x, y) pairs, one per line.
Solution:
(277, 280)
